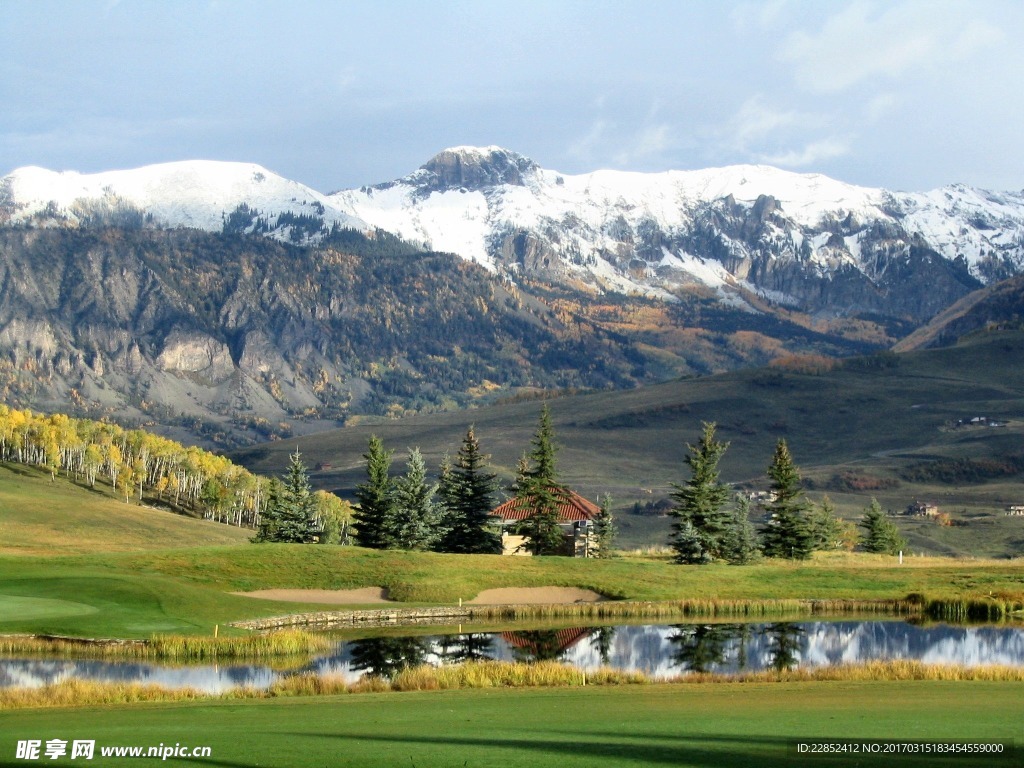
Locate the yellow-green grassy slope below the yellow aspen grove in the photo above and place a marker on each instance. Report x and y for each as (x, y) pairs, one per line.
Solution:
(40, 517)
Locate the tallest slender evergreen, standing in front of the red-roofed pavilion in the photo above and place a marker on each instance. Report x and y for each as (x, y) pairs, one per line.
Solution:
(538, 491)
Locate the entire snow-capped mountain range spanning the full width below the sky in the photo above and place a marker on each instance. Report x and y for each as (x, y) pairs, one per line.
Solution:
(804, 241)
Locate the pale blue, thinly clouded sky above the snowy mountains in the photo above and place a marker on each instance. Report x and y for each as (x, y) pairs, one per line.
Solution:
(908, 95)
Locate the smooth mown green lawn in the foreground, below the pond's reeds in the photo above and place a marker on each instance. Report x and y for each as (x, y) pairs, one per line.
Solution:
(678, 726)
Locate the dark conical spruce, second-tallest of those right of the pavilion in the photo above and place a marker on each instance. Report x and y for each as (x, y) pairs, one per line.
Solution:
(788, 533)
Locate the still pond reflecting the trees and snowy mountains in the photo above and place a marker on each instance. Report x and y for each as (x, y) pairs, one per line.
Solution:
(660, 651)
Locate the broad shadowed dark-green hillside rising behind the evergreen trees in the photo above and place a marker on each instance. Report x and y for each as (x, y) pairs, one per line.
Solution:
(878, 418)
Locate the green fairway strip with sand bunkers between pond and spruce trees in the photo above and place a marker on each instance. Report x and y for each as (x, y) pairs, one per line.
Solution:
(188, 591)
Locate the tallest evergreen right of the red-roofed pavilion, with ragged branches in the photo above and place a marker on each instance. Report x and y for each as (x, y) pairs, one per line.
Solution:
(701, 502)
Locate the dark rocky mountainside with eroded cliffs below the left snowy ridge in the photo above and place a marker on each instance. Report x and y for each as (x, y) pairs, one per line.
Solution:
(231, 339)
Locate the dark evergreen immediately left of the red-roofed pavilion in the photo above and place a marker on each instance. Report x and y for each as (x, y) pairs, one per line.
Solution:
(467, 492)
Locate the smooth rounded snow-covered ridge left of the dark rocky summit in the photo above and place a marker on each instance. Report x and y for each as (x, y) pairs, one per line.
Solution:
(193, 194)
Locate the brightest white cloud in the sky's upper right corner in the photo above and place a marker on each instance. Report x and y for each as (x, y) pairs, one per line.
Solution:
(865, 41)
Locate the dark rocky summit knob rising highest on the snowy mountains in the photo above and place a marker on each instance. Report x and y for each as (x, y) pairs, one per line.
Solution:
(476, 168)
